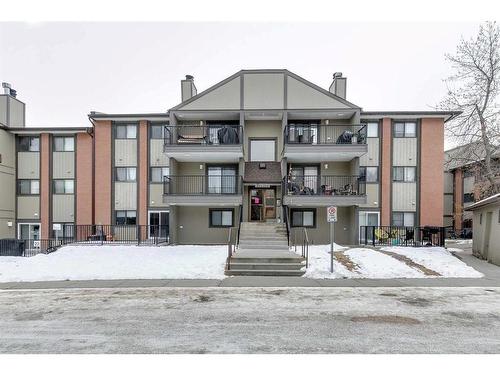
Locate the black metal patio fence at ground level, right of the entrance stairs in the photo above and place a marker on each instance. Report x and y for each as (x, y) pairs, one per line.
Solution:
(402, 236)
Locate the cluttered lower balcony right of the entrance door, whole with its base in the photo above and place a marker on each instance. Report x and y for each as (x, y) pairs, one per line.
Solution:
(321, 191)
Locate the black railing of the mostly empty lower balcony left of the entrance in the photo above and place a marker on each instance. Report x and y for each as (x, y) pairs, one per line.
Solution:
(203, 185)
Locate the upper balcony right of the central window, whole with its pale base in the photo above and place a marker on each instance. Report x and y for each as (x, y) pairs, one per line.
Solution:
(333, 142)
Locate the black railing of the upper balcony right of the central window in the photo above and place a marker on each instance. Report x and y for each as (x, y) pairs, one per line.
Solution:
(333, 134)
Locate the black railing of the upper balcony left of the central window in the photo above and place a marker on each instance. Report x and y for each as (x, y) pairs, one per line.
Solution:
(203, 135)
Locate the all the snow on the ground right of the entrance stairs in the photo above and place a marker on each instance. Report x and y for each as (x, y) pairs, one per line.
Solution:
(373, 264)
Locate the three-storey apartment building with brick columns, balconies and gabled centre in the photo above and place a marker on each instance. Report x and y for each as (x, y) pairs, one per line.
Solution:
(261, 145)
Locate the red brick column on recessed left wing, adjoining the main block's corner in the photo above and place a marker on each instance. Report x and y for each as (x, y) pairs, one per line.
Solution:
(84, 179)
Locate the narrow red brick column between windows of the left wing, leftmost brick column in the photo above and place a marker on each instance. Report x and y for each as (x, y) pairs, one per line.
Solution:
(45, 190)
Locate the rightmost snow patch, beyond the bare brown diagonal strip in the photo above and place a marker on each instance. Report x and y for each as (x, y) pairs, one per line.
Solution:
(437, 259)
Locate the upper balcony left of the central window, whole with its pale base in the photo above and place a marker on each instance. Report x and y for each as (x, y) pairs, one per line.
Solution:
(204, 143)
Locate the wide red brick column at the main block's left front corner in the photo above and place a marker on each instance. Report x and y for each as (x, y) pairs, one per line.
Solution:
(102, 190)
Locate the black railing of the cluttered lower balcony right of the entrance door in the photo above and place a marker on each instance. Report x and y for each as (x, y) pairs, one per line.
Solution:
(324, 185)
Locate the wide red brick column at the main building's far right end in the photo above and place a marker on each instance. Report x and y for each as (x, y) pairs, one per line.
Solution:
(431, 171)
